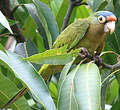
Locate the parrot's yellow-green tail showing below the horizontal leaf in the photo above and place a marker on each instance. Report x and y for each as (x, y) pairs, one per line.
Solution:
(48, 70)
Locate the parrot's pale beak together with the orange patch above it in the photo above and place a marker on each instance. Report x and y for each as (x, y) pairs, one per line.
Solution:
(110, 25)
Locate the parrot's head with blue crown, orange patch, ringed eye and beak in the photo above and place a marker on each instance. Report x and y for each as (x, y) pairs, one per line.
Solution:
(108, 19)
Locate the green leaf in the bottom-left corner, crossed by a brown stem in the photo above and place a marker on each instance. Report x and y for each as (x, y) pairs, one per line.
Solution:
(7, 90)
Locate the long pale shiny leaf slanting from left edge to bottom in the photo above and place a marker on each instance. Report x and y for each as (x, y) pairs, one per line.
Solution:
(28, 75)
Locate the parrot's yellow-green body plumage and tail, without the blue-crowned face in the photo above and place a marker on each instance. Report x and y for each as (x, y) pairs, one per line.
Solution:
(88, 33)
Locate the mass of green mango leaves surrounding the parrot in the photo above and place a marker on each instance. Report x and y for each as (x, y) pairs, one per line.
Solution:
(79, 87)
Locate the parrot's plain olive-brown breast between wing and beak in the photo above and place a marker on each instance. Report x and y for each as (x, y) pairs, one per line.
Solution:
(93, 38)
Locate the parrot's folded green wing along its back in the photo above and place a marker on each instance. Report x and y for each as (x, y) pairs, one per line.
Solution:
(72, 34)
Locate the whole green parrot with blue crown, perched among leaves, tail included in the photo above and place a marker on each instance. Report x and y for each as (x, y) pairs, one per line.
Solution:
(89, 33)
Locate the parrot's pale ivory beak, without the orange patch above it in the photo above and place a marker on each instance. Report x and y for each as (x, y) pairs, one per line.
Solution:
(109, 27)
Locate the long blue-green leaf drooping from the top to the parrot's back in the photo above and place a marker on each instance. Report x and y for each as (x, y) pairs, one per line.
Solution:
(51, 22)
